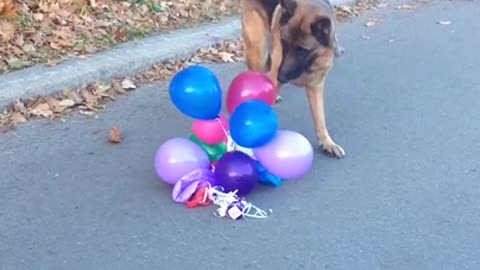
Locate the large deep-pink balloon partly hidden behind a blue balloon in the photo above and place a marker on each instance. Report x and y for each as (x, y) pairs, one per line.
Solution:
(250, 85)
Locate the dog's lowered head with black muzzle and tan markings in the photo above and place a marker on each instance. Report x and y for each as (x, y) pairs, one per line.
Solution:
(307, 34)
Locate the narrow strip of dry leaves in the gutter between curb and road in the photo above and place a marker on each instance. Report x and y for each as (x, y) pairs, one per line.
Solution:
(89, 100)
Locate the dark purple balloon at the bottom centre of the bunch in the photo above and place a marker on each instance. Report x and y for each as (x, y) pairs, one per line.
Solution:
(236, 171)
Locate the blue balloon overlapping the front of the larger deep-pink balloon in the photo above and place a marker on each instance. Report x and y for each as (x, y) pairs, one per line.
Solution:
(253, 124)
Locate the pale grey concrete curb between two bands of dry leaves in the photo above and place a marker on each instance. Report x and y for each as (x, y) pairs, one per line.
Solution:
(121, 61)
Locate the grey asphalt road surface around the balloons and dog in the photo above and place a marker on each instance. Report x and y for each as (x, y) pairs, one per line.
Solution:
(404, 104)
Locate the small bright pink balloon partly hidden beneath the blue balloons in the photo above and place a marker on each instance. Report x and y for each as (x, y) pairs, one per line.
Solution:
(211, 131)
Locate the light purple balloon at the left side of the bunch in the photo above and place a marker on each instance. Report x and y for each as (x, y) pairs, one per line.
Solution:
(177, 157)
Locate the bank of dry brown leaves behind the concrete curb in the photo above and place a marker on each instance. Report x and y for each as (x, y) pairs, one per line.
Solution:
(47, 31)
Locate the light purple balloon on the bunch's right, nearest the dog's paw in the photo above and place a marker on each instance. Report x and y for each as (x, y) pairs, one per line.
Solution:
(288, 155)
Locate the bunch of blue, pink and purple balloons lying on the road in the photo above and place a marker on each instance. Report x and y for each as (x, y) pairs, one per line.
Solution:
(234, 152)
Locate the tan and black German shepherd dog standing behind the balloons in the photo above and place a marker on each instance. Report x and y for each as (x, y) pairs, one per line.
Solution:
(295, 40)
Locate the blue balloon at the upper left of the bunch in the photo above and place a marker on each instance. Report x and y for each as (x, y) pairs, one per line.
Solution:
(196, 92)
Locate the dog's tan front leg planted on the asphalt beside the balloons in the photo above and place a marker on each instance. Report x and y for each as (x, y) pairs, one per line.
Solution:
(315, 95)
